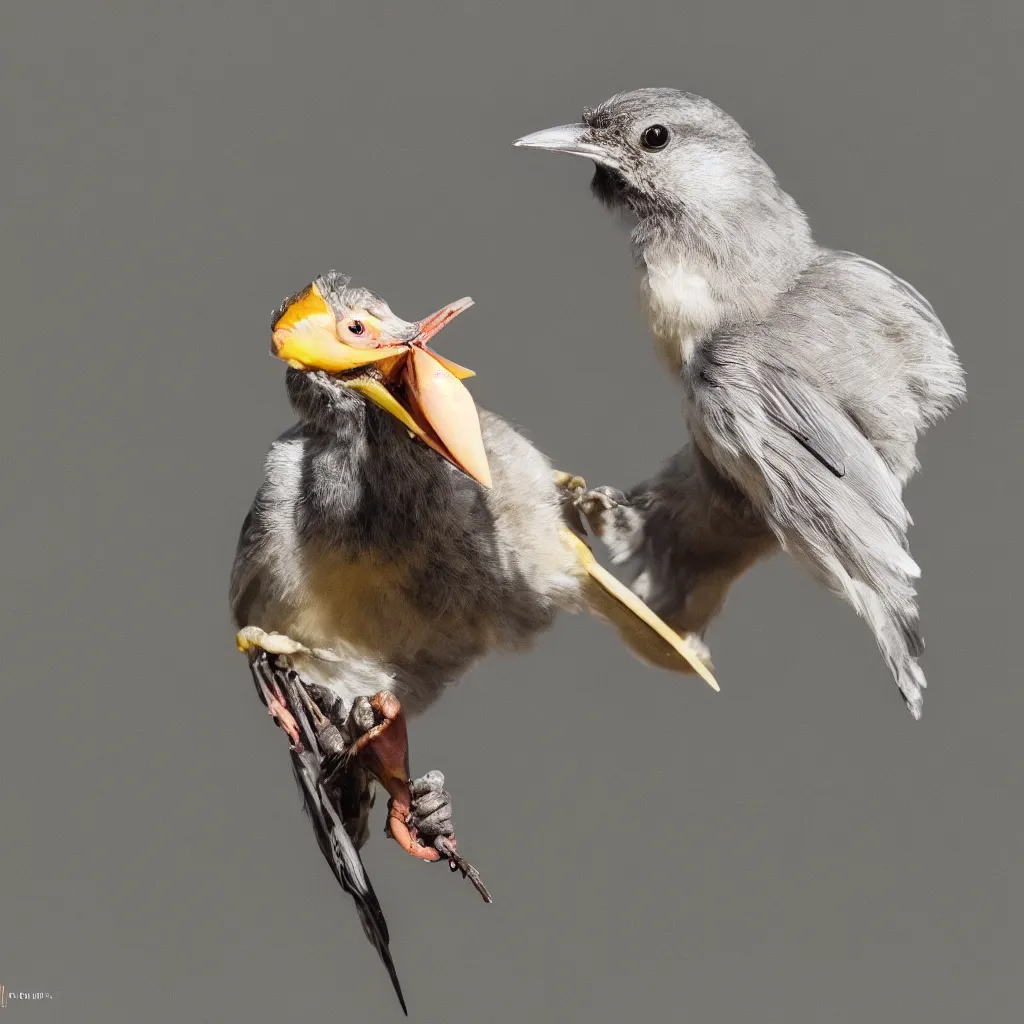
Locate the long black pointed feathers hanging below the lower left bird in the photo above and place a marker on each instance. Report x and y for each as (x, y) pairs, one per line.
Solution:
(337, 798)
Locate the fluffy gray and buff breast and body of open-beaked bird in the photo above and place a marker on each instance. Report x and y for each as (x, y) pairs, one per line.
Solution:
(388, 551)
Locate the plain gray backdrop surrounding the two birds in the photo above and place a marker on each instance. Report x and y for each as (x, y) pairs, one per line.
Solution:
(796, 849)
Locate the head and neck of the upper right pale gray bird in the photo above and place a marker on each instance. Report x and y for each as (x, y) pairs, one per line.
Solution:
(689, 174)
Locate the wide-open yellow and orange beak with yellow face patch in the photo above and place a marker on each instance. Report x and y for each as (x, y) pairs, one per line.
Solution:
(420, 389)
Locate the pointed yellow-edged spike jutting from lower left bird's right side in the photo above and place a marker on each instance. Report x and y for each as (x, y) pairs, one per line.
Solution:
(645, 632)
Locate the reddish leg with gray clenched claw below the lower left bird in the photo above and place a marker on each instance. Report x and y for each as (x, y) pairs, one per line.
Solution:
(420, 812)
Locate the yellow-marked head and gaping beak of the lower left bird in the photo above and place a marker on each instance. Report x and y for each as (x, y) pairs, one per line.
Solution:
(343, 339)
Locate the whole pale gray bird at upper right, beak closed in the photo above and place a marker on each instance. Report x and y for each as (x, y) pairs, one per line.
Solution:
(809, 375)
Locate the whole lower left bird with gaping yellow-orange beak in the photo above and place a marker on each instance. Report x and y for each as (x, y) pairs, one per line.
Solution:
(398, 537)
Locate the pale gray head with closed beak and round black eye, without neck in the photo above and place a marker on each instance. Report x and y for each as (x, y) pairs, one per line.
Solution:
(661, 152)
